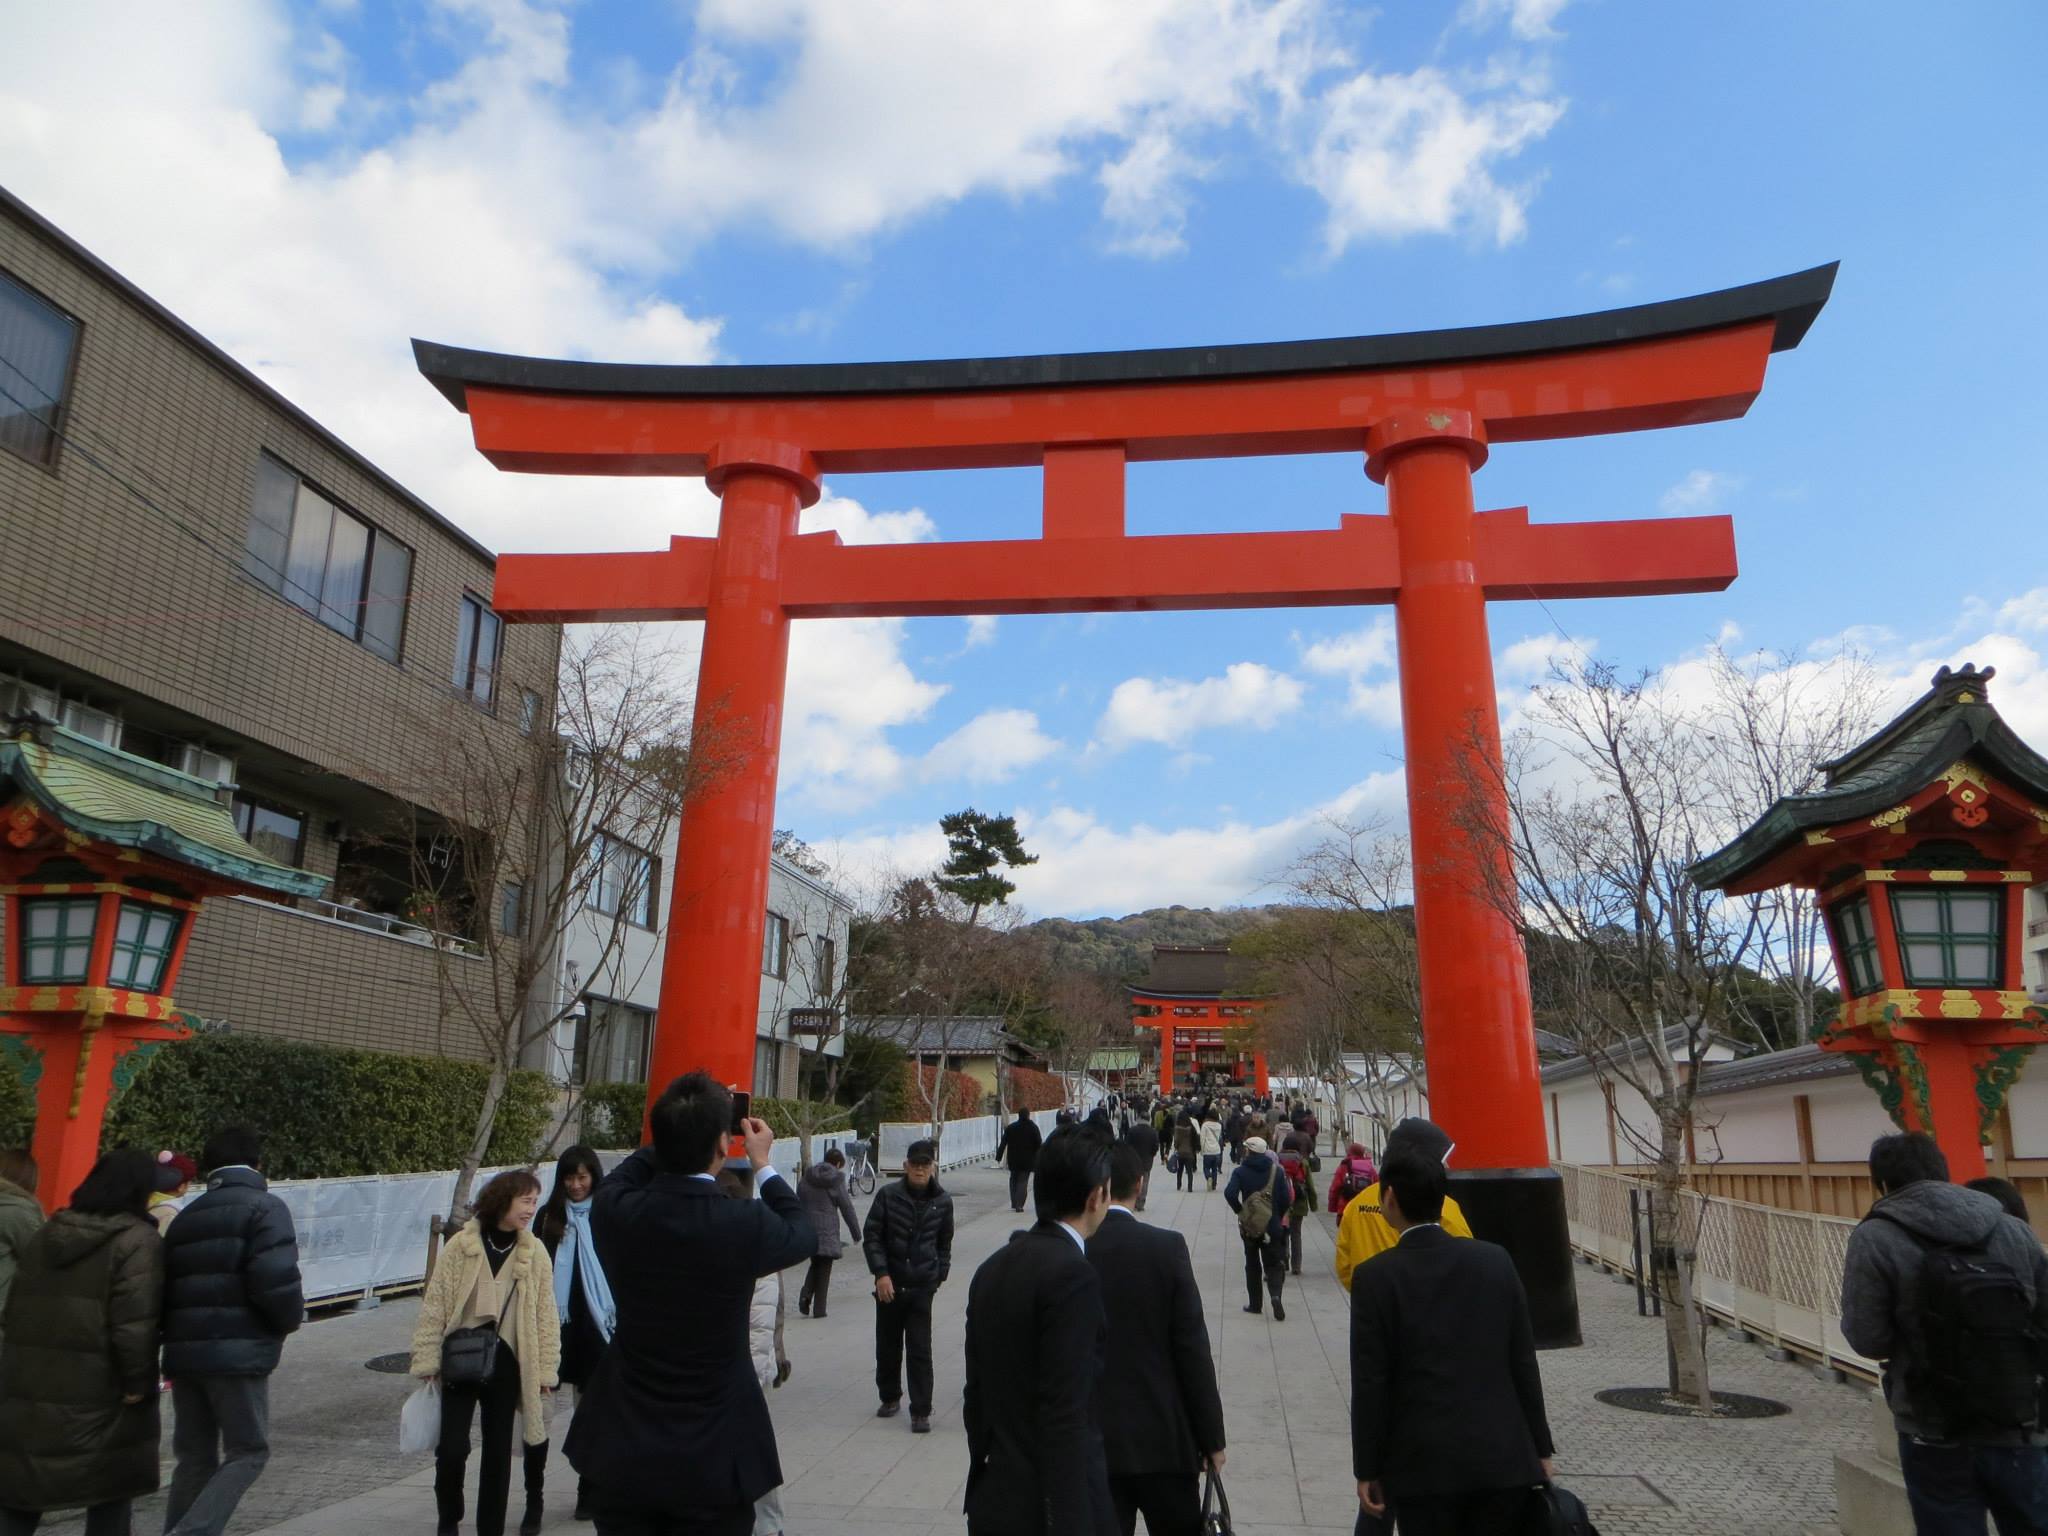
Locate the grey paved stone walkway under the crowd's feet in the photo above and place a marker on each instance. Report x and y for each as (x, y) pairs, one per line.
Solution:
(335, 1469)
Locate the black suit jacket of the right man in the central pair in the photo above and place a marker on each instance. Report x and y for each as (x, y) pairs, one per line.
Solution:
(1160, 1404)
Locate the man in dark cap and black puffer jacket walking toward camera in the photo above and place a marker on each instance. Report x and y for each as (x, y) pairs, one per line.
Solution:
(908, 1244)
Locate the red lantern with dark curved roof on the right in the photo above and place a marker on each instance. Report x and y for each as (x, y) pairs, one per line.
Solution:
(1922, 847)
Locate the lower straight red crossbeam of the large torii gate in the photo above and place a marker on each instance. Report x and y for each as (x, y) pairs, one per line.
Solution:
(1355, 564)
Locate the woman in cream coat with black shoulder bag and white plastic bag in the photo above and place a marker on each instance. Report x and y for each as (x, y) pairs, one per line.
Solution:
(493, 1273)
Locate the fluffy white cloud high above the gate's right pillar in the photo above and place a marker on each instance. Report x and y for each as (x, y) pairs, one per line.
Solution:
(1410, 155)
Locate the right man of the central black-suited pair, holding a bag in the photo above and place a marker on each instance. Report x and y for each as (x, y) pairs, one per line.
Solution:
(1162, 1416)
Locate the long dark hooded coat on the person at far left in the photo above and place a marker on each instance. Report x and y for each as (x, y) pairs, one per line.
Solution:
(81, 1336)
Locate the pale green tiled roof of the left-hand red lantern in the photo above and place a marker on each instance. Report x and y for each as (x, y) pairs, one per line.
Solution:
(128, 802)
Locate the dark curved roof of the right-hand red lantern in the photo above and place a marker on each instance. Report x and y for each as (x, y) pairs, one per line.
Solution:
(1955, 720)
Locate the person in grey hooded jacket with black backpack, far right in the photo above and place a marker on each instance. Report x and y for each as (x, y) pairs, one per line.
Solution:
(1953, 1295)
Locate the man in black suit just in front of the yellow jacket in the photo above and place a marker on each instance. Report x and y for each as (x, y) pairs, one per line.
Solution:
(1447, 1402)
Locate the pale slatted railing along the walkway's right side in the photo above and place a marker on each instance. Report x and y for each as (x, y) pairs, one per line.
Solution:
(1775, 1273)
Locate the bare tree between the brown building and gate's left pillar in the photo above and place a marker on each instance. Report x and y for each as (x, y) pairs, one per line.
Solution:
(517, 847)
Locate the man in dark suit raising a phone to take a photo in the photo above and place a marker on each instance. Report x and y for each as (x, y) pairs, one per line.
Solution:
(673, 1431)
